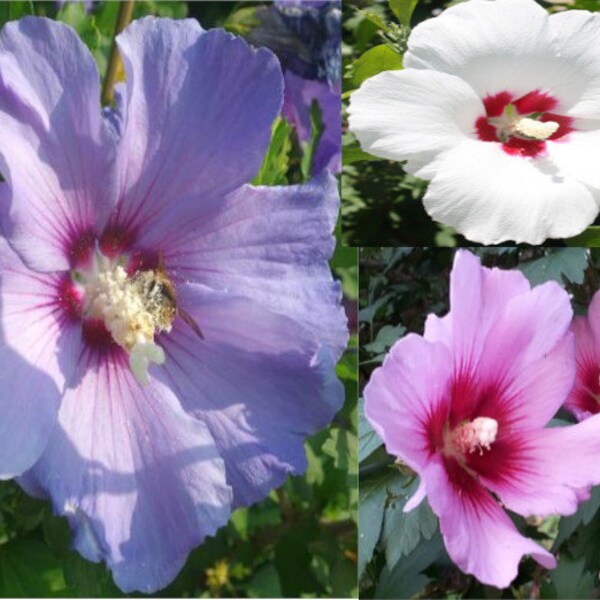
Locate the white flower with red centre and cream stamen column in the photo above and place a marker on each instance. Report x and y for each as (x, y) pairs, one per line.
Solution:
(498, 106)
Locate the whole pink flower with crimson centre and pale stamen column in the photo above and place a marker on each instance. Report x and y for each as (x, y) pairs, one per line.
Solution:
(466, 404)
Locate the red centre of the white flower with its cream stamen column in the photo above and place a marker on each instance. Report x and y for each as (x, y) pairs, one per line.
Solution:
(522, 125)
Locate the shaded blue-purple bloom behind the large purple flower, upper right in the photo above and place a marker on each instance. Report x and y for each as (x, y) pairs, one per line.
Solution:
(306, 35)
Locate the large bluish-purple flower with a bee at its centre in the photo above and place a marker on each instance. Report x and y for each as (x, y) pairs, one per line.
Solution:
(169, 332)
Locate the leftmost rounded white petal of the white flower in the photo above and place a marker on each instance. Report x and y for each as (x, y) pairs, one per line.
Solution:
(413, 114)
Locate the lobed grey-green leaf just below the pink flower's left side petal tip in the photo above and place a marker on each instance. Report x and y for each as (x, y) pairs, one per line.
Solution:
(403, 531)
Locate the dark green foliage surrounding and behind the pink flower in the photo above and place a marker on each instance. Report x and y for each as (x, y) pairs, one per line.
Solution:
(402, 555)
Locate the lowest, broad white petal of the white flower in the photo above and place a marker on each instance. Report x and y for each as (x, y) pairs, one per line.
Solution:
(491, 197)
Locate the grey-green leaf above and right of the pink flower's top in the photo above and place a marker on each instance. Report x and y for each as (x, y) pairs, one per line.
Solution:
(564, 264)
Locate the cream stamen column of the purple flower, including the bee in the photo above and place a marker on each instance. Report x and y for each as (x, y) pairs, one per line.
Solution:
(133, 308)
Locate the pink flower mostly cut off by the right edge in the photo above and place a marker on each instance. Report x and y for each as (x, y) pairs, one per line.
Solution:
(584, 399)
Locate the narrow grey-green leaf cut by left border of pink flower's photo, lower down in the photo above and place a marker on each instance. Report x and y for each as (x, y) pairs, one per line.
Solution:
(371, 505)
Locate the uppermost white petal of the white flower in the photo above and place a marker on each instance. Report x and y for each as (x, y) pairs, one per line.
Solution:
(504, 45)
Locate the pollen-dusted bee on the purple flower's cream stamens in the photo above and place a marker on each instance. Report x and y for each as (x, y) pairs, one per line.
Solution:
(160, 298)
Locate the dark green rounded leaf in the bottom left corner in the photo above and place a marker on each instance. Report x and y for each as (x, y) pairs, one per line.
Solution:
(28, 569)
